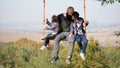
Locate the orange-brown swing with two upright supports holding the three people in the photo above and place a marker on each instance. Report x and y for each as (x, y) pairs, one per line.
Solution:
(44, 14)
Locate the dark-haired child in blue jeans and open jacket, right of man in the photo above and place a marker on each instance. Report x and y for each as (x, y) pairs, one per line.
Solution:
(77, 28)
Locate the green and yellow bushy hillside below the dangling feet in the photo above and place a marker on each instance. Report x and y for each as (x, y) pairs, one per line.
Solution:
(25, 53)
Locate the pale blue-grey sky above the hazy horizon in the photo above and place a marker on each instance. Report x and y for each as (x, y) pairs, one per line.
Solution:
(26, 11)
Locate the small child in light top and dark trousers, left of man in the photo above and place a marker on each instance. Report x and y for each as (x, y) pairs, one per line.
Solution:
(50, 26)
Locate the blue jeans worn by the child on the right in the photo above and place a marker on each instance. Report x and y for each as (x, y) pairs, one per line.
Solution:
(82, 38)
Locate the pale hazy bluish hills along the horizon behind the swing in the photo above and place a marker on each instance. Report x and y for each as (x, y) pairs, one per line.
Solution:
(37, 26)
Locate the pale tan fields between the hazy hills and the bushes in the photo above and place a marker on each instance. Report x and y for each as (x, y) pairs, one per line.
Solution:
(105, 38)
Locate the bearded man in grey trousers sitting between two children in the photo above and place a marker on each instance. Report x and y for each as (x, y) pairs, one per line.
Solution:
(64, 22)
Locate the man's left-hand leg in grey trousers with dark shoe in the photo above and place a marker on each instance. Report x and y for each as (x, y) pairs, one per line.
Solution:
(58, 38)
